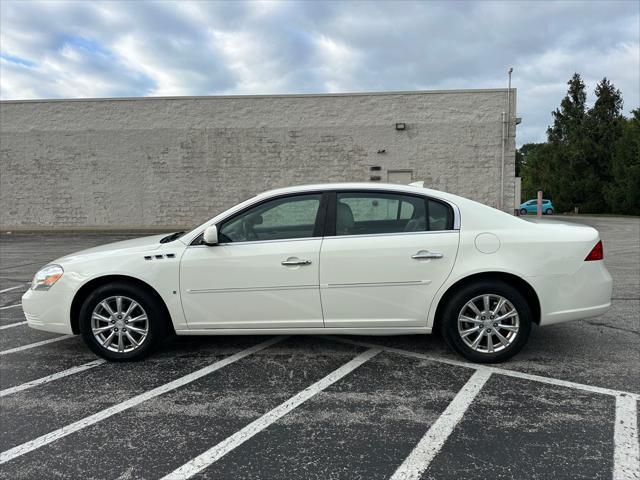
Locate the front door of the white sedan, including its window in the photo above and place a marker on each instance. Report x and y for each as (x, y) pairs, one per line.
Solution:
(264, 271)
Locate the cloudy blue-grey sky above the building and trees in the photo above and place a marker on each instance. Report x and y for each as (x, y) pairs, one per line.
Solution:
(128, 48)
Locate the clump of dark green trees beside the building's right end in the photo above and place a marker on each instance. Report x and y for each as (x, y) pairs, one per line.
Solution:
(575, 167)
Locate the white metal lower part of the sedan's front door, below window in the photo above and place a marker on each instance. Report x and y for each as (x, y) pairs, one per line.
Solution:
(245, 285)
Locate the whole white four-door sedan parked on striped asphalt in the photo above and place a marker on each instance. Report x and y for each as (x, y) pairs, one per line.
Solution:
(366, 259)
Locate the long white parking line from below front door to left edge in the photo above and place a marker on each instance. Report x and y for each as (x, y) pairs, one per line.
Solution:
(47, 438)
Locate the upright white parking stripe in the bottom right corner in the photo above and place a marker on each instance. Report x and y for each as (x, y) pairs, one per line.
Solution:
(626, 461)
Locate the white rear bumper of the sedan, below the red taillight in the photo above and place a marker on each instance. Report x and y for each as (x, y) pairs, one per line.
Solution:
(584, 294)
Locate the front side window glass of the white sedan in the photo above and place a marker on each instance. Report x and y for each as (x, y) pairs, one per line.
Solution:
(278, 219)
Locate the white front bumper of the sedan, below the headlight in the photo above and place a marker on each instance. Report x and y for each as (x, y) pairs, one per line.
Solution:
(48, 310)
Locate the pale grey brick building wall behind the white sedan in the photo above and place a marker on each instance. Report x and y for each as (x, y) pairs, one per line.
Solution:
(156, 162)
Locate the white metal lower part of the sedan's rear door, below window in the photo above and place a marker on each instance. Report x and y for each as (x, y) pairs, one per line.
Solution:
(373, 281)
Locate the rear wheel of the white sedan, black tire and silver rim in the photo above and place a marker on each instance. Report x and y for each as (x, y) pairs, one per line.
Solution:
(458, 305)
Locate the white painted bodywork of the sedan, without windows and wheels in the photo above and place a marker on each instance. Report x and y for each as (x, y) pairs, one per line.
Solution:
(354, 285)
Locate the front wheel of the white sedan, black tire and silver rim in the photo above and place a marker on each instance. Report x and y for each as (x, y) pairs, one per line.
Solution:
(128, 327)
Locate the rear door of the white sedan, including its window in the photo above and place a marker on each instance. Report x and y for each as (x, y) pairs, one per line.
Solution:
(384, 257)
